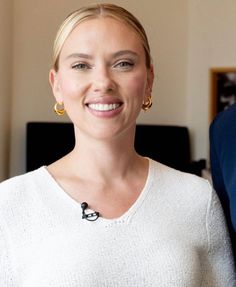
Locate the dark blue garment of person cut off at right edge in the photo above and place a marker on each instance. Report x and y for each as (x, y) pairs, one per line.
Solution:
(223, 165)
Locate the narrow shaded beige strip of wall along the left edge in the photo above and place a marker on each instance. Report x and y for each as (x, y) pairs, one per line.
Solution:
(5, 83)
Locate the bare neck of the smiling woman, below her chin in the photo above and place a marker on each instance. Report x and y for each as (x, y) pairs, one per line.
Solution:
(103, 157)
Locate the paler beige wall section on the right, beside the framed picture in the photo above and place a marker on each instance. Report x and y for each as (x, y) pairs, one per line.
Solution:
(212, 43)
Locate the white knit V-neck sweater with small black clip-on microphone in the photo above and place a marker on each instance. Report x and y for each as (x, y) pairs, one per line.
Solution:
(173, 235)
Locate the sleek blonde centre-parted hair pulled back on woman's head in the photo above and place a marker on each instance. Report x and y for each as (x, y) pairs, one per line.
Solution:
(95, 11)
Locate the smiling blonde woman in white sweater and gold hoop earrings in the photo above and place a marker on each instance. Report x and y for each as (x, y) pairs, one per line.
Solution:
(103, 215)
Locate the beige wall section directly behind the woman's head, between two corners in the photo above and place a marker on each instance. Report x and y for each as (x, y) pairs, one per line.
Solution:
(35, 25)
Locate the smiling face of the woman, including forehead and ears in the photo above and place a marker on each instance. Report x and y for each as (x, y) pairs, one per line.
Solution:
(102, 77)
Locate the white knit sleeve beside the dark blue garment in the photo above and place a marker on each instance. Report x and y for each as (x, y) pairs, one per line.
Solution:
(219, 268)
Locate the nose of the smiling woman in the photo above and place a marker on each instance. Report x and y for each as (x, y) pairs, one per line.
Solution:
(103, 80)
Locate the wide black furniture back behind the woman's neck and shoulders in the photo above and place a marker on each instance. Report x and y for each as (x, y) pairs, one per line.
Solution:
(48, 141)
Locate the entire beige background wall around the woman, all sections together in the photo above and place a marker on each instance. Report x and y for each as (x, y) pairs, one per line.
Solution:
(187, 39)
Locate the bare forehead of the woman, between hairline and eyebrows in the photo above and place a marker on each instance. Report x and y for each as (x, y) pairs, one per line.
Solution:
(105, 32)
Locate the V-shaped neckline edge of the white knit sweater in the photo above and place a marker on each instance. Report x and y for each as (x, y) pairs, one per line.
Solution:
(126, 216)
